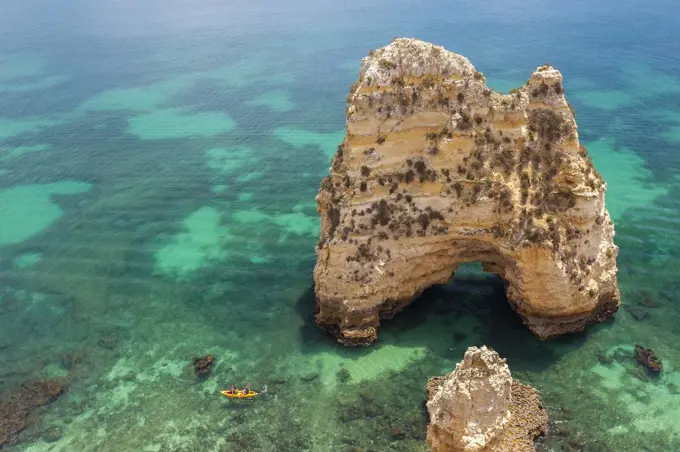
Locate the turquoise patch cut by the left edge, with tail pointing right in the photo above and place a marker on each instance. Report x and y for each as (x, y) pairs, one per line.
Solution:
(27, 210)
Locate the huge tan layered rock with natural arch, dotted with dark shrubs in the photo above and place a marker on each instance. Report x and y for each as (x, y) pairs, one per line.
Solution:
(437, 170)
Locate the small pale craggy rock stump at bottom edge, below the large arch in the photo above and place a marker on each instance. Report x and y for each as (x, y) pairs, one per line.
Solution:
(478, 407)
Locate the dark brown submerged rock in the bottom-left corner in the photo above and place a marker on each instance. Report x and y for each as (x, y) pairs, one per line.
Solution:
(18, 404)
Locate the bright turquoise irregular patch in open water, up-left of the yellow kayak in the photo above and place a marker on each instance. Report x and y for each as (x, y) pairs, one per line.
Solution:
(202, 242)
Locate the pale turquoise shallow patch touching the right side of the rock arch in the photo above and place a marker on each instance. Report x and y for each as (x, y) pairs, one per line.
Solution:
(628, 181)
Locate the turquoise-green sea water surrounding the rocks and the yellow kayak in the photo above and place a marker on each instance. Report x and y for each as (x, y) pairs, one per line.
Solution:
(158, 167)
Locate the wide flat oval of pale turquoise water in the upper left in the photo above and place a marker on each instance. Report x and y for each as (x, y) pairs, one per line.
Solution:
(176, 123)
